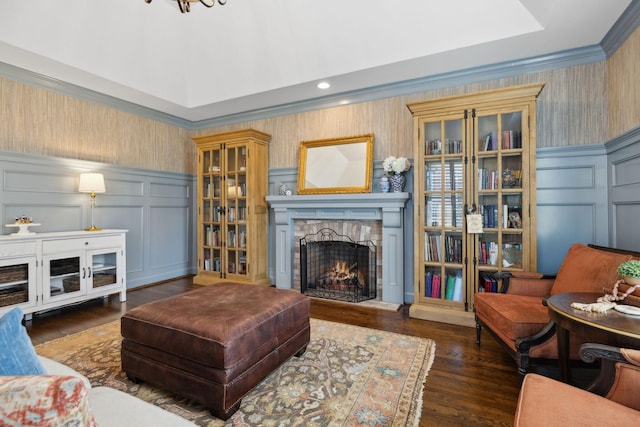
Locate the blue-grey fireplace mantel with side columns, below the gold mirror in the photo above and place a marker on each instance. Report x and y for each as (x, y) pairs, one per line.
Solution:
(385, 207)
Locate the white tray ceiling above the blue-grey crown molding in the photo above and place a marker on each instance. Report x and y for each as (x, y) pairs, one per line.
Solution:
(255, 54)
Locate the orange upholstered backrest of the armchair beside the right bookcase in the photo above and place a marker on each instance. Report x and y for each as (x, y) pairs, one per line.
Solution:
(586, 269)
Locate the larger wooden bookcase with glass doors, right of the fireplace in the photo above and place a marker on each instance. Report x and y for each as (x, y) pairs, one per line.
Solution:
(474, 155)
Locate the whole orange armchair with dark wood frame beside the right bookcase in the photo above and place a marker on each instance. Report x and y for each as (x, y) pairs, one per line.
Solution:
(518, 318)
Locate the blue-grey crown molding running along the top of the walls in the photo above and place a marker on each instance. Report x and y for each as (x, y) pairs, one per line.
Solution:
(627, 23)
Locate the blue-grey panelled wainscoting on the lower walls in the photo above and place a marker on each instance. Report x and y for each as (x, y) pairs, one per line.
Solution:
(586, 194)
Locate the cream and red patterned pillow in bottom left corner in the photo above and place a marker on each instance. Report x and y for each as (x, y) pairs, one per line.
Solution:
(44, 400)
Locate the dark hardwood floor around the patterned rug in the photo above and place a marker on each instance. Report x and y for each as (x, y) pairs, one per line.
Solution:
(466, 386)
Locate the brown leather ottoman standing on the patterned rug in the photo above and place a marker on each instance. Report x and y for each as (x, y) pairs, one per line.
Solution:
(214, 344)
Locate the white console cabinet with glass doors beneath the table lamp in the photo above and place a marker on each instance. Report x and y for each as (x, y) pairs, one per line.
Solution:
(43, 271)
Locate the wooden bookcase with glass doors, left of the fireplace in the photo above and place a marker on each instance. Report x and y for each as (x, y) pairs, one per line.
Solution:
(232, 210)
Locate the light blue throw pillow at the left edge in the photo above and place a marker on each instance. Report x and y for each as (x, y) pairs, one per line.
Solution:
(17, 355)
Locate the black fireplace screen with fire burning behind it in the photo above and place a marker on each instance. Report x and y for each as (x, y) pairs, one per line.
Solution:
(335, 267)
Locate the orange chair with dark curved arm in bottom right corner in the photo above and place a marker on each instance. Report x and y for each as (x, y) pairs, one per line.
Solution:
(612, 400)
